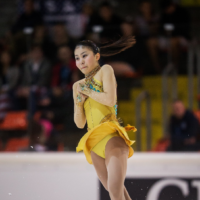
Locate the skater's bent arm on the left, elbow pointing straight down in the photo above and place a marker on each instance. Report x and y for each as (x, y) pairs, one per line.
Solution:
(79, 115)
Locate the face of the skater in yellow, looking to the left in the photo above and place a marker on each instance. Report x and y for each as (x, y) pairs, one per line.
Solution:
(85, 58)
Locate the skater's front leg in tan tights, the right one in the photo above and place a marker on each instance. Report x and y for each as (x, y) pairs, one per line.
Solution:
(116, 154)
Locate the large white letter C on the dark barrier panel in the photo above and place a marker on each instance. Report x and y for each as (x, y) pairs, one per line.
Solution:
(155, 190)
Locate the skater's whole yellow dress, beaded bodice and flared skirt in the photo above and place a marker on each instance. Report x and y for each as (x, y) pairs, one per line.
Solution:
(102, 125)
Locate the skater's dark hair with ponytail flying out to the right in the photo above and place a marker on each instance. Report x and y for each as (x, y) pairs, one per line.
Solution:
(110, 49)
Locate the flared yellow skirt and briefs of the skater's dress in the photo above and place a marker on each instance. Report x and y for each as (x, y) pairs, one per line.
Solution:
(98, 136)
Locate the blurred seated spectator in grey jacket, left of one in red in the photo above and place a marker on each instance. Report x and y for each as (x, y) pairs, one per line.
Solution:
(36, 78)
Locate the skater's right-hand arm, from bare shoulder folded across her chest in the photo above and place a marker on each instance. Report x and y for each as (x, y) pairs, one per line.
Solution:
(108, 97)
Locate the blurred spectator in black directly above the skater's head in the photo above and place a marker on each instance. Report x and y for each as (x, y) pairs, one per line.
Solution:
(105, 23)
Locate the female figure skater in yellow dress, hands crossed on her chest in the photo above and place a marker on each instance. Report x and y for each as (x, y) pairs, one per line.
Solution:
(106, 145)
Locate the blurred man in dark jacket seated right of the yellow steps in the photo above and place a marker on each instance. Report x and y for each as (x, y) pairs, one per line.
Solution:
(184, 129)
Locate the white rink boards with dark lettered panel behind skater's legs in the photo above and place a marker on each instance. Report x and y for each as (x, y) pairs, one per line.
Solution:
(68, 176)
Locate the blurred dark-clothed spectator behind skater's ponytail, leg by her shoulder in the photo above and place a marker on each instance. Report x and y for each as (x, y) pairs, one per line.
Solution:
(127, 62)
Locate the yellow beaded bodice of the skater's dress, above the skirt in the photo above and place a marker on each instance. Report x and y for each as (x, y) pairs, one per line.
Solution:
(96, 112)
